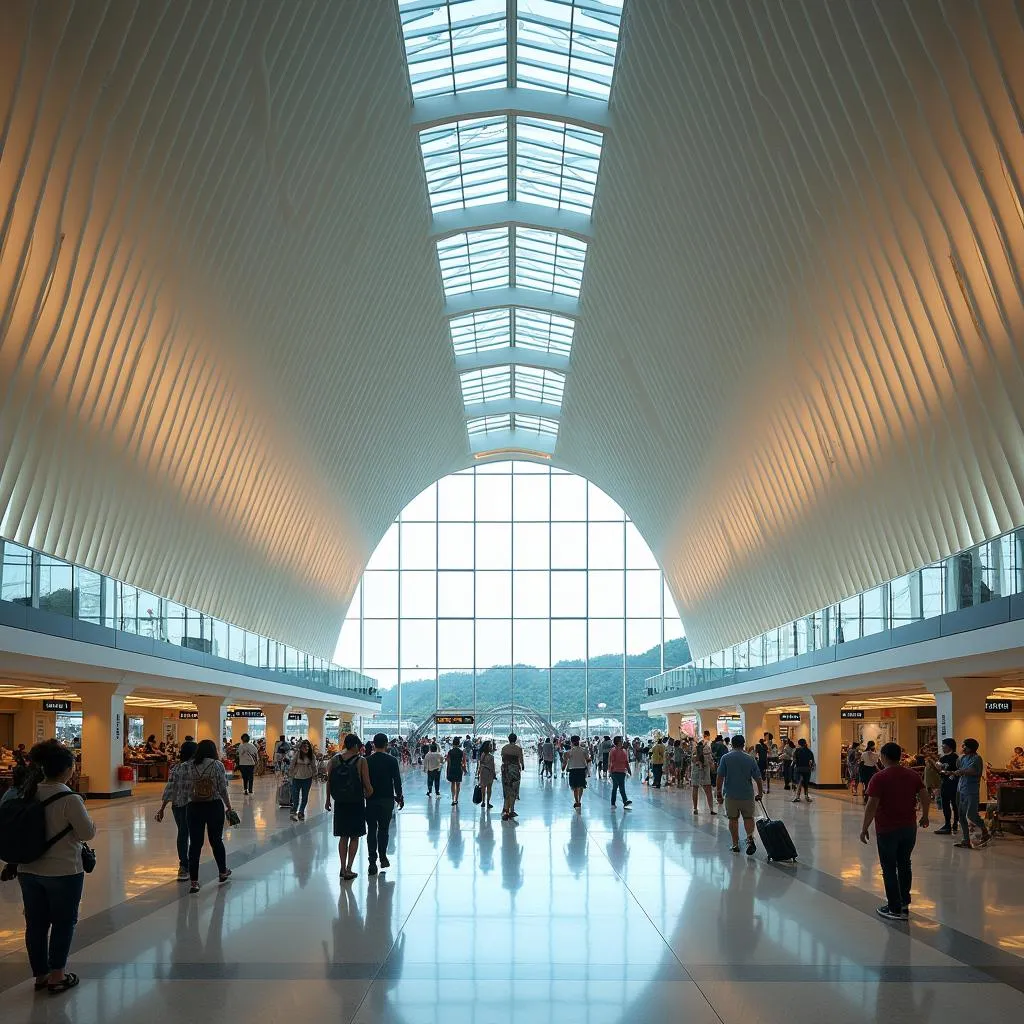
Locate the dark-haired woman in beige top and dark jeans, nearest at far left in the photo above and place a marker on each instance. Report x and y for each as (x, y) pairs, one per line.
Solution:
(53, 884)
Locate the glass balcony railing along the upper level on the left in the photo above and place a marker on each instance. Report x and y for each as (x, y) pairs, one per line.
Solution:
(45, 594)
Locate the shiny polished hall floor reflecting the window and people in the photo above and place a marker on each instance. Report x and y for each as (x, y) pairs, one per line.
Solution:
(608, 916)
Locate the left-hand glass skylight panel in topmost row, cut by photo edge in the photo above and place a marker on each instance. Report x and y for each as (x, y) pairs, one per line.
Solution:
(454, 46)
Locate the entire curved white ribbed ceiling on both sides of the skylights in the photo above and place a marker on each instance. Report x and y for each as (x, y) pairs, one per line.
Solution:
(224, 346)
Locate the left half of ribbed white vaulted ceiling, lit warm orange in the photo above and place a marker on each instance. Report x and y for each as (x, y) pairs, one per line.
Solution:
(224, 354)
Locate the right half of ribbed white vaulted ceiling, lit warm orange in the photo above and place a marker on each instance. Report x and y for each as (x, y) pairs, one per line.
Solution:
(799, 363)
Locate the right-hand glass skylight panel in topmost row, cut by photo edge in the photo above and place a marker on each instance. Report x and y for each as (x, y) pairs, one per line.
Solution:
(568, 47)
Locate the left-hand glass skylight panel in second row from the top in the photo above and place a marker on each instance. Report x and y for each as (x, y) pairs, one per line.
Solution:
(467, 163)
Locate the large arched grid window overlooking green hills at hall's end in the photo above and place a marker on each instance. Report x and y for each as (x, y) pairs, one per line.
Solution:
(516, 583)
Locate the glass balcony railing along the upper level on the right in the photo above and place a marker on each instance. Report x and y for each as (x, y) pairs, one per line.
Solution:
(978, 587)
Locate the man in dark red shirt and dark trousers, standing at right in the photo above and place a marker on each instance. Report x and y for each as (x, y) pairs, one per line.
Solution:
(893, 796)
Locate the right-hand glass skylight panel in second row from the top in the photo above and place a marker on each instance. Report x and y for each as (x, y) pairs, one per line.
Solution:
(557, 164)
